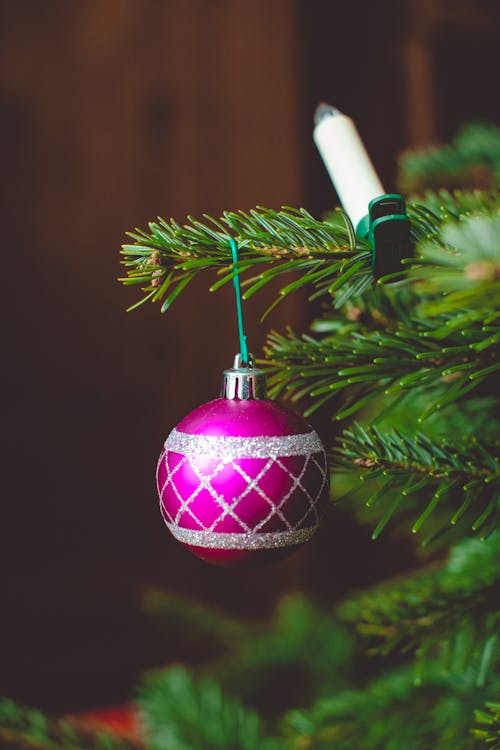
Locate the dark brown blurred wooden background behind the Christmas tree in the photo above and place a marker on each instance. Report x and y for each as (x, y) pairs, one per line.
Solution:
(113, 112)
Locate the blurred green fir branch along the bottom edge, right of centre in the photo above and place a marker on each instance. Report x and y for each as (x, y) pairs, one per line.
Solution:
(391, 713)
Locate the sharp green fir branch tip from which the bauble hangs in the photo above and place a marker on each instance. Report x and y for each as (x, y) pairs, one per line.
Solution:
(166, 258)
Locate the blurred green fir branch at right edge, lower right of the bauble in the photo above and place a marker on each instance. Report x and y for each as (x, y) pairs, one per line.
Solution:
(452, 614)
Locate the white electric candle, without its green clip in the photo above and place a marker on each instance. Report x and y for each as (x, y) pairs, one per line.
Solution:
(346, 161)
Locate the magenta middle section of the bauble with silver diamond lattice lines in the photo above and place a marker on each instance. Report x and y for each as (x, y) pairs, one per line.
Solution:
(241, 495)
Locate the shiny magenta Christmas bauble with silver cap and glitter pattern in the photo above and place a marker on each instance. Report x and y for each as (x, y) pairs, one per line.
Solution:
(242, 479)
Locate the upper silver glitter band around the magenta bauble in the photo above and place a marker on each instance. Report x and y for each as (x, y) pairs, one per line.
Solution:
(228, 448)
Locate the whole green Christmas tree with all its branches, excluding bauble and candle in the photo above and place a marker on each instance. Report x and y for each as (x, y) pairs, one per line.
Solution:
(405, 369)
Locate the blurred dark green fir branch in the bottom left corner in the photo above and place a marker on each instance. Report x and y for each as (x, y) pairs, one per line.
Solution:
(29, 728)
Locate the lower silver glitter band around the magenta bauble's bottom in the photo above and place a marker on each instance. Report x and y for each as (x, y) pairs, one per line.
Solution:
(251, 540)
